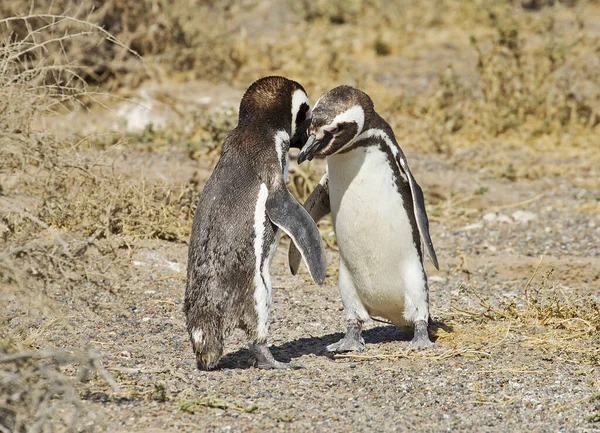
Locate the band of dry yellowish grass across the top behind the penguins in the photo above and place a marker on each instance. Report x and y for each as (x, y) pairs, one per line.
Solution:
(528, 74)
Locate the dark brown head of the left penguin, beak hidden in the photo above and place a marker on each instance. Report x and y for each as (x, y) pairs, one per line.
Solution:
(280, 103)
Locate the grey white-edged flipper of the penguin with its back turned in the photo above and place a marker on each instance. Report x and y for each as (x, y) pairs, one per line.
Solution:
(287, 214)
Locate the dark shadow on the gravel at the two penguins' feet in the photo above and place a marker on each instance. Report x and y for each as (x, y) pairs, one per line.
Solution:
(243, 359)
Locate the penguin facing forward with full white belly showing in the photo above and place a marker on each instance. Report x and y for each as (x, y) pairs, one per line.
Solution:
(379, 217)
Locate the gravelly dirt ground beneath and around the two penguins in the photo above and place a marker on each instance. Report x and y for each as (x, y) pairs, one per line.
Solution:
(488, 374)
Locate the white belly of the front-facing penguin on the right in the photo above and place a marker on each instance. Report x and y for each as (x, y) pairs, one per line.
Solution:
(373, 232)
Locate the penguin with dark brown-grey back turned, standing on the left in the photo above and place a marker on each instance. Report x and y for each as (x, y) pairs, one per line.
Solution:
(242, 210)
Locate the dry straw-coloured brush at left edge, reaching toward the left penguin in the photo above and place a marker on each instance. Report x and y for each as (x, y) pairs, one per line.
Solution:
(58, 201)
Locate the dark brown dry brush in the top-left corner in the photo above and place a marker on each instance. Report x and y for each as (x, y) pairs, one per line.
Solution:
(165, 33)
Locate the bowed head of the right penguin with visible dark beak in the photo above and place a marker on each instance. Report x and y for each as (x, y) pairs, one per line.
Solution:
(338, 118)
